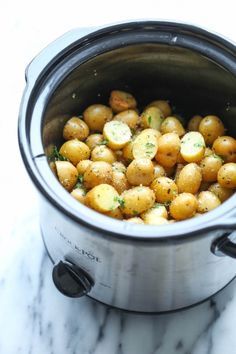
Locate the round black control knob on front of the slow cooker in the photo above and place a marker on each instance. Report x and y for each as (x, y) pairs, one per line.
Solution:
(71, 280)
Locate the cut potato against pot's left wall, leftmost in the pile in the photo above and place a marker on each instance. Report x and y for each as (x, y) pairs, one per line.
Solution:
(67, 174)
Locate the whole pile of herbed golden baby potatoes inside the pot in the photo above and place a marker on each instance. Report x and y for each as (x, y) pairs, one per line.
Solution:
(146, 168)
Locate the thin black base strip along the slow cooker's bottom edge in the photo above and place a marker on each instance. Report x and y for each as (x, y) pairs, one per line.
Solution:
(153, 312)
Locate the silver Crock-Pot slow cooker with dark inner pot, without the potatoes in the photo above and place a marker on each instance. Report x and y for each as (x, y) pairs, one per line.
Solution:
(133, 267)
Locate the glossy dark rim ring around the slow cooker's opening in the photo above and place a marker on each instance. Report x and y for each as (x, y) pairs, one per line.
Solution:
(98, 42)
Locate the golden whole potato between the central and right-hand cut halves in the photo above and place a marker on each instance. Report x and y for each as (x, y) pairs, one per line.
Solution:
(168, 149)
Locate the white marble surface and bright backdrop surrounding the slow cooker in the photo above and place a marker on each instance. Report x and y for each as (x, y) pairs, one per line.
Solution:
(34, 317)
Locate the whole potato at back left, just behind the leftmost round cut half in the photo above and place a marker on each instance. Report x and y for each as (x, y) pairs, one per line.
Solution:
(97, 115)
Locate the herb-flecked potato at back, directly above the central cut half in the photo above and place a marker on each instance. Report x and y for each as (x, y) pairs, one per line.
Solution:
(152, 117)
